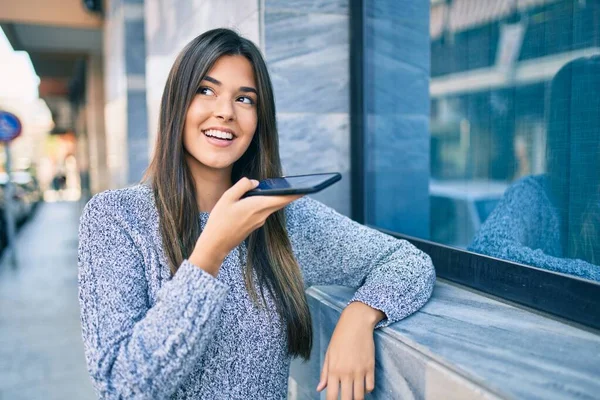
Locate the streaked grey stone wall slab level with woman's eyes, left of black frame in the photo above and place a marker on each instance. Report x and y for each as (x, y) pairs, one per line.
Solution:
(307, 56)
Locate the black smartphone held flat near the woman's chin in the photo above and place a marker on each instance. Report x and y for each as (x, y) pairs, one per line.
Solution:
(297, 184)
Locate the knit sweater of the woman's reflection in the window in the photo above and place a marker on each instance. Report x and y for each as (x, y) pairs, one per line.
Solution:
(525, 228)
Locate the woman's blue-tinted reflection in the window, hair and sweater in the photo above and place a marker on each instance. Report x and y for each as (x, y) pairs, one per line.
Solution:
(553, 221)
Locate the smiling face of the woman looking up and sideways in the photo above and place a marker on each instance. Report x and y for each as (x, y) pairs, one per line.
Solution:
(222, 118)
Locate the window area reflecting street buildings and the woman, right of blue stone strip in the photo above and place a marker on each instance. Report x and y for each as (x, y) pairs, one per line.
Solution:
(515, 131)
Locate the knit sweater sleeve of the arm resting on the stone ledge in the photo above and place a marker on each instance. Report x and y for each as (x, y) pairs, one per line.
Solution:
(391, 274)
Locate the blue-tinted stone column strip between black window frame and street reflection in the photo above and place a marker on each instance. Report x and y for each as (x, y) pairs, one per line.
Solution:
(396, 87)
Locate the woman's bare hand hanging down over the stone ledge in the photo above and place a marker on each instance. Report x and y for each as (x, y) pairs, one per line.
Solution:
(349, 366)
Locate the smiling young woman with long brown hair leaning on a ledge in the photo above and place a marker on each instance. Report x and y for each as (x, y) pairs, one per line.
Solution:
(189, 292)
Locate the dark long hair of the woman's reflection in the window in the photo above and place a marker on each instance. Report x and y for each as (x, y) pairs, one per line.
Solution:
(574, 156)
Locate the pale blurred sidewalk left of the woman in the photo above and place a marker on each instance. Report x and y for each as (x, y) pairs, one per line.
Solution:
(41, 352)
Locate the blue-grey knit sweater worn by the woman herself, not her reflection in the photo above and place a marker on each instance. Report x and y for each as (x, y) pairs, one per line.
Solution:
(151, 335)
